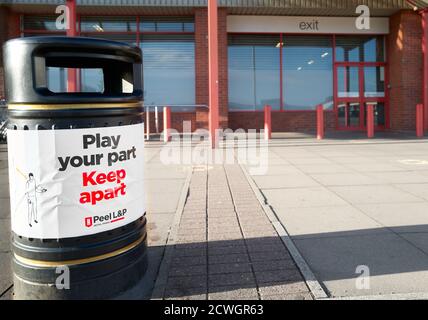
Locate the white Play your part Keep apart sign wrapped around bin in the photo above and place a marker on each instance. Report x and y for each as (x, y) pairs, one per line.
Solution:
(75, 182)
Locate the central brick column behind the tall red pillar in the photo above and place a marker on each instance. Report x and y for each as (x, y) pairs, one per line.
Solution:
(201, 66)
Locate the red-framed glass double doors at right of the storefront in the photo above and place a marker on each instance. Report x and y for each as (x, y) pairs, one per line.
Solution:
(358, 85)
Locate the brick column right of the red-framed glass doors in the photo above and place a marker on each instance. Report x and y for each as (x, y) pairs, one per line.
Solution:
(405, 69)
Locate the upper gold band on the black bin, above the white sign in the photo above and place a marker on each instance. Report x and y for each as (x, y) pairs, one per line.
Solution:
(69, 106)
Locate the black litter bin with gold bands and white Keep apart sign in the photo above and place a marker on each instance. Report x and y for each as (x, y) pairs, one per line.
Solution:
(75, 168)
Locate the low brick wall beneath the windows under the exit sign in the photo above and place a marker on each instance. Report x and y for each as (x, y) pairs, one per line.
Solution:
(290, 121)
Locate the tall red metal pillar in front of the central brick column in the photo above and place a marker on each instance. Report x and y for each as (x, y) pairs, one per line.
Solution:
(213, 70)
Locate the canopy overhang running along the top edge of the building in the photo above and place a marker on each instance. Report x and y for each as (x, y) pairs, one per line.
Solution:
(236, 7)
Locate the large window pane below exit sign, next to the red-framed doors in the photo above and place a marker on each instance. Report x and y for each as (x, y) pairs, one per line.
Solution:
(307, 72)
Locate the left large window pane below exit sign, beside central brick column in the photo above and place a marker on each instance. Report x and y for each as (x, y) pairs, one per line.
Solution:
(254, 72)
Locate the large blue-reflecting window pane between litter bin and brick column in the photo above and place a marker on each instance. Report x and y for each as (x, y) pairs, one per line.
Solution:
(169, 69)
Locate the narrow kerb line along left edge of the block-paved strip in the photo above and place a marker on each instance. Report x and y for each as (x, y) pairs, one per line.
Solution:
(162, 277)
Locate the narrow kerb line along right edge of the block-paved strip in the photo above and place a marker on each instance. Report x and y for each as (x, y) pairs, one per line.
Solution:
(314, 286)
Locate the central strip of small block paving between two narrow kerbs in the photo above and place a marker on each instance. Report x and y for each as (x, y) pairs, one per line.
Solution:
(226, 247)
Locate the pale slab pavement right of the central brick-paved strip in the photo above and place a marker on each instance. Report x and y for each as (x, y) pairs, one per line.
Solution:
(352, 202)
